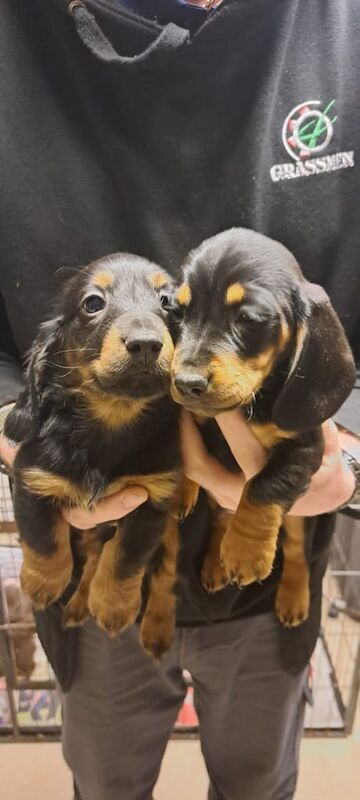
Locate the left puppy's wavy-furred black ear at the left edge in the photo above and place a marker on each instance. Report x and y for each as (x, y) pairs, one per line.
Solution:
(24, 420)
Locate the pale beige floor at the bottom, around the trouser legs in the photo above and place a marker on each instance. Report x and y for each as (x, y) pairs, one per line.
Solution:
(330, 769)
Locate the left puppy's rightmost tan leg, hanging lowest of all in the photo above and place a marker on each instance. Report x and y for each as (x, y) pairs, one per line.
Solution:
(158, 623)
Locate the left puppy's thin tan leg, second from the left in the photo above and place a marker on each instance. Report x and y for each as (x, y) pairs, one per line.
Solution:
(77, 609)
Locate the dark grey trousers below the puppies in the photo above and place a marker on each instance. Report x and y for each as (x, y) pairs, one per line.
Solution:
(119, 713)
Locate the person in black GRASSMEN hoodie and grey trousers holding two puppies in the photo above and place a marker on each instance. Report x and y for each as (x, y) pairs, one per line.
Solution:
(147, 127)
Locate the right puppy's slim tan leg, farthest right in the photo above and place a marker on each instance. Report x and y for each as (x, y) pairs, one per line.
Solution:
(293, 594)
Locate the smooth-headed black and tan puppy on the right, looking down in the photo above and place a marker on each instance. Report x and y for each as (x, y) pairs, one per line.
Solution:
(254, 333)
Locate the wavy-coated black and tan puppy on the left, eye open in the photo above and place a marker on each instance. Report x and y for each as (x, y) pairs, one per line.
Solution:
(95, 417)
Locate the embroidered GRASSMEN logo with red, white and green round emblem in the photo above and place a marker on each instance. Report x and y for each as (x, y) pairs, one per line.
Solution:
(306, 133)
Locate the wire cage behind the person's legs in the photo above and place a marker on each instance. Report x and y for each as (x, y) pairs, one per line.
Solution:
(30, 704)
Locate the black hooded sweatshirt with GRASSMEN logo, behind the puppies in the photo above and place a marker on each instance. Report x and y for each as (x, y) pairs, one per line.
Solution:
(119, 133)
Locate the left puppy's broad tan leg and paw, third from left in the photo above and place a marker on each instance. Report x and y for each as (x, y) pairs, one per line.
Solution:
(114, 602)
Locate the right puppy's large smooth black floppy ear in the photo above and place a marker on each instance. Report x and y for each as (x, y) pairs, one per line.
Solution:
(322, 372)
